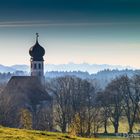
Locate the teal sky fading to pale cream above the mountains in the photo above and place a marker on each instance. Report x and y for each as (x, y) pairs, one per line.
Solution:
(78, 31)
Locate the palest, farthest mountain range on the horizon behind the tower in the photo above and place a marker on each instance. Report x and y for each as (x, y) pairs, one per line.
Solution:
(84, 67)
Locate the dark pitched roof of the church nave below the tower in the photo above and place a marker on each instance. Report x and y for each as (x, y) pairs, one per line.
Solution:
(25, 91)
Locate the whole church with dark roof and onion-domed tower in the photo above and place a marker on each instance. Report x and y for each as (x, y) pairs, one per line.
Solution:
(28, 92)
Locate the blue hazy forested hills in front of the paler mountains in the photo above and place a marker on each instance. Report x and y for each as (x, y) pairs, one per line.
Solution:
(101, 77)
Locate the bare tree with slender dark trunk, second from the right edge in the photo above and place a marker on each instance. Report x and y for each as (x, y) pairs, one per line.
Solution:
(113, 94)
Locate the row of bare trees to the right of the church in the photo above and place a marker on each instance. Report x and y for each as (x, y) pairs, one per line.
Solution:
(81, 107)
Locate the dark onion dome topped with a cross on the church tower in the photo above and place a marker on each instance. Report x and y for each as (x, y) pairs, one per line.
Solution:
(37, 51)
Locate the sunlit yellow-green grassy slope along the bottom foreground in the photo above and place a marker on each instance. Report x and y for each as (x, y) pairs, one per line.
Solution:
(21, 134)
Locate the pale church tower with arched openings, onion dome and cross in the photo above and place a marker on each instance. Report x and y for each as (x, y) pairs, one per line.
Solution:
(37, 62)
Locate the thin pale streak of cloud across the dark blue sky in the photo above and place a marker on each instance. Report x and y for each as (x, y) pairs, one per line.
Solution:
(45, 23)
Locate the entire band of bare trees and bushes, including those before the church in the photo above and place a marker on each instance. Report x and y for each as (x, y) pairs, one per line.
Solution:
(81, 108)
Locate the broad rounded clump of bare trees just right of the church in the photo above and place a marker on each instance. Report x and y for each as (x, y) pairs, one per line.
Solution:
(73, 97)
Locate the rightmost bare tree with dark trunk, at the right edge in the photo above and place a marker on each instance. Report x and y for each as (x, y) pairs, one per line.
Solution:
(130, 97)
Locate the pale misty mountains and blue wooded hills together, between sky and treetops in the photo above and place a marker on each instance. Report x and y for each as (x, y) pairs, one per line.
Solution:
(101, 74)
